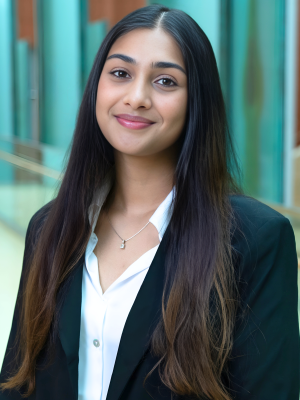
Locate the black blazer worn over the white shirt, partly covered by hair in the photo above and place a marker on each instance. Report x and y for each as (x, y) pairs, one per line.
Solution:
(264, 363)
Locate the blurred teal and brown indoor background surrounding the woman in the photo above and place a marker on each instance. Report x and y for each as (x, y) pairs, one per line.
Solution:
(47, 48)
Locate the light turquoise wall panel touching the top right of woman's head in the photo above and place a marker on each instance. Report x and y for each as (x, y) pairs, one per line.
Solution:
(205, 13)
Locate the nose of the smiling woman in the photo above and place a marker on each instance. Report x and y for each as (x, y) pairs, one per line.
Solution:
(138, 94)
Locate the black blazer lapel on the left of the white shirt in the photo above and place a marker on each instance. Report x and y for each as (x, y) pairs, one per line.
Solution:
(69, 324)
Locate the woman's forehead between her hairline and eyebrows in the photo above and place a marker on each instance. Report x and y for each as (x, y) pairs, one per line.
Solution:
(148, 45)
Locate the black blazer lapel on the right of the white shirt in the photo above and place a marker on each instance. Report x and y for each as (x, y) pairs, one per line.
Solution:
(140, 324)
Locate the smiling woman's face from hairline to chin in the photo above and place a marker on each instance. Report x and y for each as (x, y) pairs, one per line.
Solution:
(143, 76)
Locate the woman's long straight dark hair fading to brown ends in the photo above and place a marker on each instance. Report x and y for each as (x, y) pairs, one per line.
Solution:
(194, 336)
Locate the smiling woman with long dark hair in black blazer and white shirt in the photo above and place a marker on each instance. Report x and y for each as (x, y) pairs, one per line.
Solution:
(149, 276)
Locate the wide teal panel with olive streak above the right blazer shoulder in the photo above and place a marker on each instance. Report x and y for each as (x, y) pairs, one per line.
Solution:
(256, 109)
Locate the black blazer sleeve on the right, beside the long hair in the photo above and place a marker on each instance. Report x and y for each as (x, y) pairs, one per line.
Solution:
(264, 363)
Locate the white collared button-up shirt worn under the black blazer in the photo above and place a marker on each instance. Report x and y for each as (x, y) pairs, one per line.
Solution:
(103, 315)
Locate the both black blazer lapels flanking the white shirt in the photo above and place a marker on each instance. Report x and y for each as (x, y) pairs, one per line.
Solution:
(139, 326)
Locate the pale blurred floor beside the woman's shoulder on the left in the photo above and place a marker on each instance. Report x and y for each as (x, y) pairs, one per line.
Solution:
(18, 203)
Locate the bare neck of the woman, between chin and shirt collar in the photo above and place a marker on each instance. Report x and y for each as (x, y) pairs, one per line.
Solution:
(142, 182)
